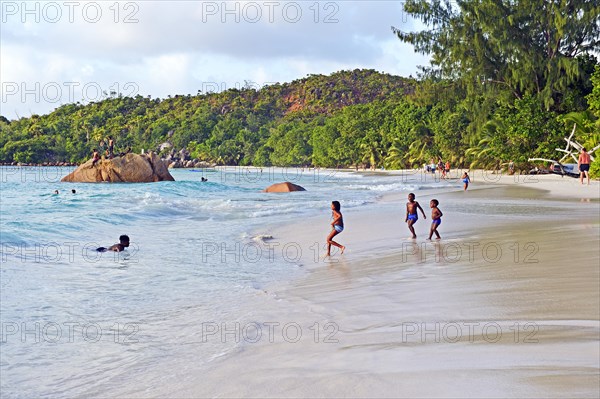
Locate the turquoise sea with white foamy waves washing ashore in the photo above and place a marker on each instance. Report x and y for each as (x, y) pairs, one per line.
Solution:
(75, 321)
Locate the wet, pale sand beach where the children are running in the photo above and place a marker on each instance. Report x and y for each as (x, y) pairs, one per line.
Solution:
(507, 304)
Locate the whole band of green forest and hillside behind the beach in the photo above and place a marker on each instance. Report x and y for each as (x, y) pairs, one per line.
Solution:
(349, 118)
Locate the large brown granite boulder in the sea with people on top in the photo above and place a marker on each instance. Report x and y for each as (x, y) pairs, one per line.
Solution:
(130, 168)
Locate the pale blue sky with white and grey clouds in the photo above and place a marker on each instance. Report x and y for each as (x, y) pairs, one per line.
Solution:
(58, 52)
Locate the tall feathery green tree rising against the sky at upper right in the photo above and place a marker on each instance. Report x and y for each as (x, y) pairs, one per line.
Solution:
(525, 47)
